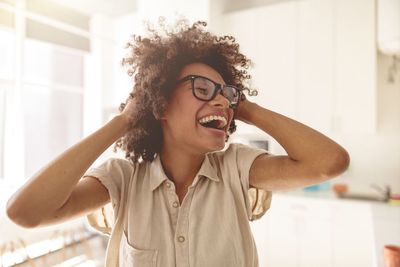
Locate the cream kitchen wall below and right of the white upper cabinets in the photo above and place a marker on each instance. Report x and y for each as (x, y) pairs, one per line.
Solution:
(375, 158)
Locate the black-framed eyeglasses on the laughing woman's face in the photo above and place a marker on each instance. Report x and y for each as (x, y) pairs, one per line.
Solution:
(205, 89)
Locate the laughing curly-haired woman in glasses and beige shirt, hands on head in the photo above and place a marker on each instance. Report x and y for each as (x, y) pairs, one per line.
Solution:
(178, 198)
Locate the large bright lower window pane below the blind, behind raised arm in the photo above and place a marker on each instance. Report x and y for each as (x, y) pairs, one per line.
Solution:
(52, 102)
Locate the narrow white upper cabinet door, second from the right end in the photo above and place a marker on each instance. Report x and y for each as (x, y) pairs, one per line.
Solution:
(314, 105)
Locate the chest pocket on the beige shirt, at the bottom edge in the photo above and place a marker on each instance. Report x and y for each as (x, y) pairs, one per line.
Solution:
(133, 257)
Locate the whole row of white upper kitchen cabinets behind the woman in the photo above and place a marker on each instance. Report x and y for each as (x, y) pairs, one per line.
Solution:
(315, 60)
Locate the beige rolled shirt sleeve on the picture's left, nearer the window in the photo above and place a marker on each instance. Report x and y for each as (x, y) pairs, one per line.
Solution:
(114, 174)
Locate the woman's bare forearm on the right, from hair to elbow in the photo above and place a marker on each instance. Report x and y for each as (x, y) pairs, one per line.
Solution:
(302, 143)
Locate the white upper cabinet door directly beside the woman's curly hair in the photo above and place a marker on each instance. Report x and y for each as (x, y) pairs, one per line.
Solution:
(267, 36)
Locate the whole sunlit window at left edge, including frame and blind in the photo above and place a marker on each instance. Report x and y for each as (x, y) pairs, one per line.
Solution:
(41, 85)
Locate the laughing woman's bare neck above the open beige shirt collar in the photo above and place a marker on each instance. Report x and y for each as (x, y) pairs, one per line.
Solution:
(179, 165)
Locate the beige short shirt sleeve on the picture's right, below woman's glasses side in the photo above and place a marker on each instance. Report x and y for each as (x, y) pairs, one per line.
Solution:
(258, 201)
